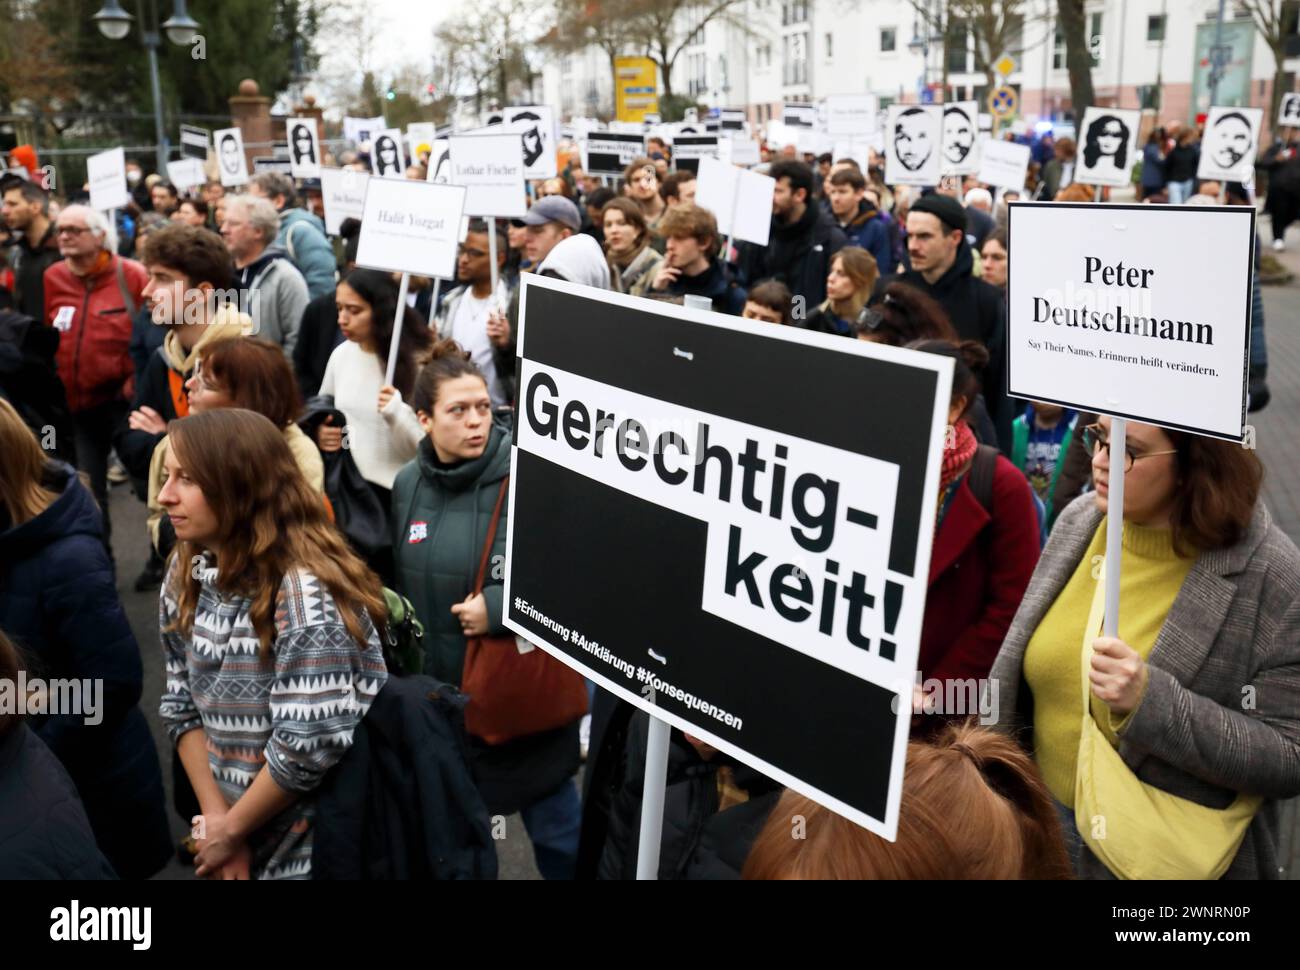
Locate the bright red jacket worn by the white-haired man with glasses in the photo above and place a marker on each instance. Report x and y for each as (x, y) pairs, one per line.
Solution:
(92, 313)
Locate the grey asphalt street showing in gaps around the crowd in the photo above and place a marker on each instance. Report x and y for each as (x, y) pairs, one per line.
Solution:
(1276, 435)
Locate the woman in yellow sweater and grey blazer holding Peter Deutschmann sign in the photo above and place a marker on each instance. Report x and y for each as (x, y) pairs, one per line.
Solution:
(1169, 747)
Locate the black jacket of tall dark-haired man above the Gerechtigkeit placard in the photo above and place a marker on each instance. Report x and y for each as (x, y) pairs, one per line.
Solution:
(798, 254)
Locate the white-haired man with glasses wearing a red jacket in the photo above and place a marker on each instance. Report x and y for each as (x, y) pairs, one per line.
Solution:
(92, 298)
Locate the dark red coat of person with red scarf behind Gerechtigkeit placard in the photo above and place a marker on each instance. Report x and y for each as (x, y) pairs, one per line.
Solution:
(978, 574)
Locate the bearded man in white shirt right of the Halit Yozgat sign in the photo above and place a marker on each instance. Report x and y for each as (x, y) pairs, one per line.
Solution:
(466, 310)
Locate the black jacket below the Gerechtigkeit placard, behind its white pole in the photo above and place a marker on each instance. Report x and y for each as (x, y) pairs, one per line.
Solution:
(699, 842)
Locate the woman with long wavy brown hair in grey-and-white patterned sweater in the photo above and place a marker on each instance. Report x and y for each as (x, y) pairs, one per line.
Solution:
(270, 633)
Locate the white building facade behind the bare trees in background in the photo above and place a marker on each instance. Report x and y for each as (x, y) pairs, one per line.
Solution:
(1146, 54)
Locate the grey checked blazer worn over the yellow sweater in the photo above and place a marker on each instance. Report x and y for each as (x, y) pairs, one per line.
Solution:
(1221, 713)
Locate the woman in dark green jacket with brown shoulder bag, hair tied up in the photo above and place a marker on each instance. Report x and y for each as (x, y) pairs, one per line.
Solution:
(443, 505)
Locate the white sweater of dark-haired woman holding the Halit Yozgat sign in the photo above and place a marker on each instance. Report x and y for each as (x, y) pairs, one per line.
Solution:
(382, 443)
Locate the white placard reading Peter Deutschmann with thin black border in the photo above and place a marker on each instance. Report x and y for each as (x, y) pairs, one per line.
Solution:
(1134, 311)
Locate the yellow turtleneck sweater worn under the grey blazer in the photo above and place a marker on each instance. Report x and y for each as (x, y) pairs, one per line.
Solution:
(1151, 577)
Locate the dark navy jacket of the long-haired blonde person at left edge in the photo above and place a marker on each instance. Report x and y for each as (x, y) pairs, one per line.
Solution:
(59, 604)
